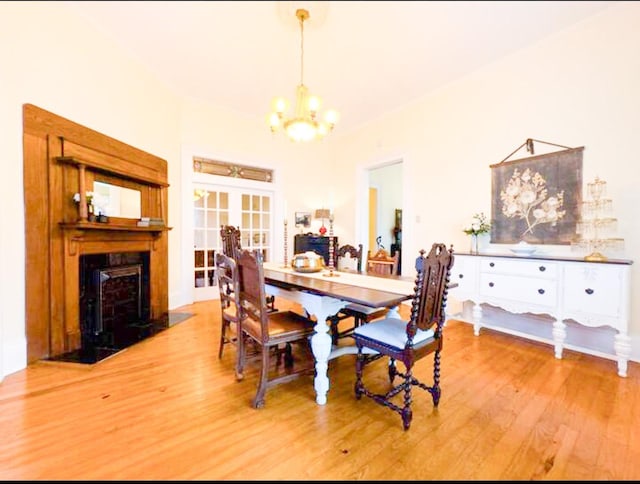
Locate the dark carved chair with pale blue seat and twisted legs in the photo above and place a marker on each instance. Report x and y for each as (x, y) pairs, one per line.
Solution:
(409, 341)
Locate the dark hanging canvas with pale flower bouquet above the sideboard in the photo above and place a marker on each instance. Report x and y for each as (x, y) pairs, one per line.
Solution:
(537, 199)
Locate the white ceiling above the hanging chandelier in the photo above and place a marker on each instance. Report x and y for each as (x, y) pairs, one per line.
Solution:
(363, 58)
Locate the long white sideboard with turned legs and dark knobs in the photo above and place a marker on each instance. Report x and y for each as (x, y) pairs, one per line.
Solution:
(593, 294)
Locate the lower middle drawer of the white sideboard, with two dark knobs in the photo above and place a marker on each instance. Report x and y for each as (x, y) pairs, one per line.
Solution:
(541, 292)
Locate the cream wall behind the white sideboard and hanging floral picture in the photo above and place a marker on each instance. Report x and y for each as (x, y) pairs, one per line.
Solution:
(576, 88)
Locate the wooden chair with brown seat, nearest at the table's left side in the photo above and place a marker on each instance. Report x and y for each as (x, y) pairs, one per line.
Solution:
(268, 329)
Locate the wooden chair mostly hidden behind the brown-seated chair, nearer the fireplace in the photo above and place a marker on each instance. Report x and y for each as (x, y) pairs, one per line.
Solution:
(227, 278)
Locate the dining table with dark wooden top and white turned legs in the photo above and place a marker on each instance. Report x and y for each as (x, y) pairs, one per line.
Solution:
(323, 296)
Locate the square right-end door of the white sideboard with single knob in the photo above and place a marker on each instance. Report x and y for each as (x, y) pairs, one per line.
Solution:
(594, 289)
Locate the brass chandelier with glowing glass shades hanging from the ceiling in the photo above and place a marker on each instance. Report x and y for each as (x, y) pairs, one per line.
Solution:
(304, 125)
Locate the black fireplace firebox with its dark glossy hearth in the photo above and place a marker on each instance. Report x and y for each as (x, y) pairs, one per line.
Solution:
(114, 305)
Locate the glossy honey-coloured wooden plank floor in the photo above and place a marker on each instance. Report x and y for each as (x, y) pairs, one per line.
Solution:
(168, 408)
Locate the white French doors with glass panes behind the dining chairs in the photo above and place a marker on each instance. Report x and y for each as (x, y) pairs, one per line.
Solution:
(215, 205)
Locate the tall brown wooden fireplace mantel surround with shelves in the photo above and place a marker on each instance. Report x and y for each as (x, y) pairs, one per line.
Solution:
(62, 158)
